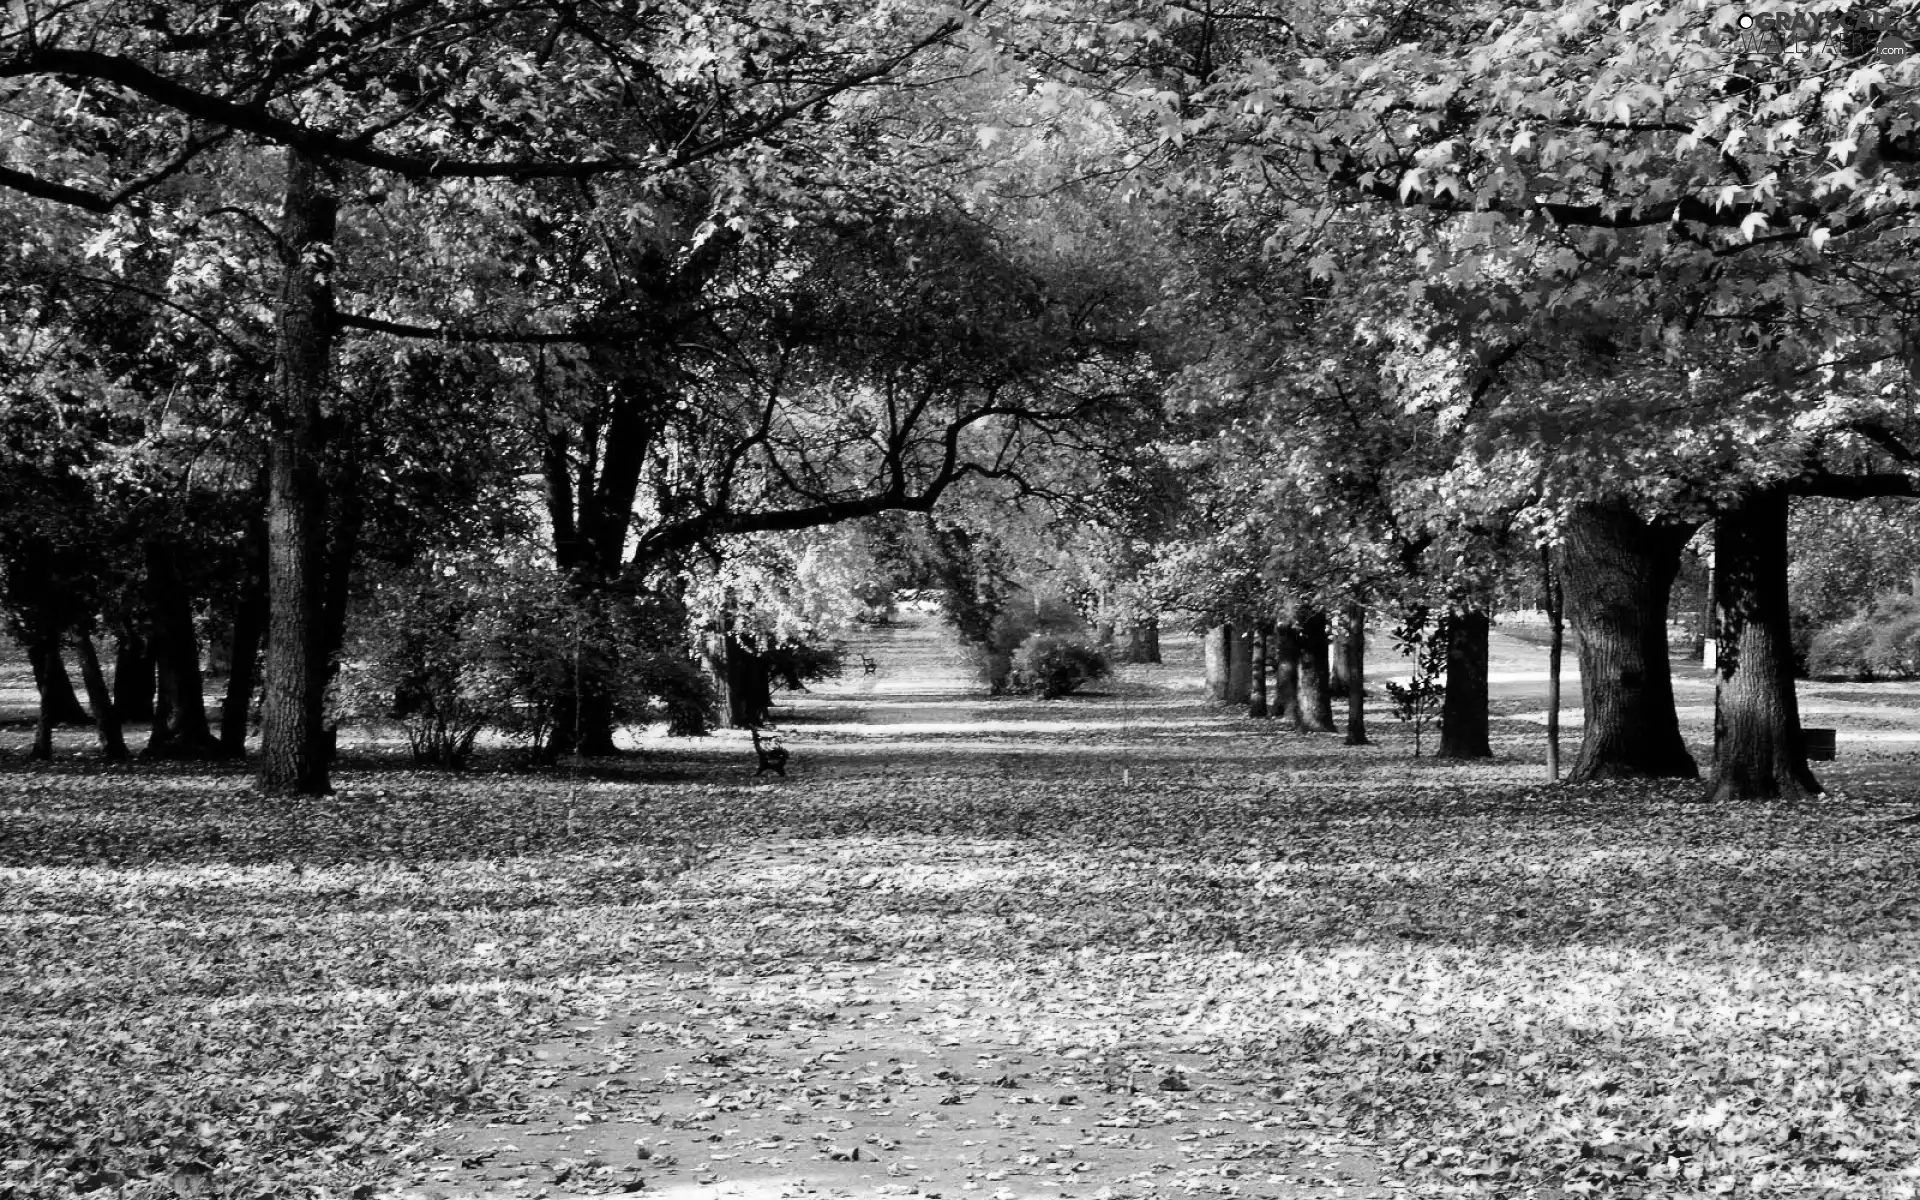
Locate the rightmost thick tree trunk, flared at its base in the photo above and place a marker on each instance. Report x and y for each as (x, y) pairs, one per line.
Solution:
(1758, 748)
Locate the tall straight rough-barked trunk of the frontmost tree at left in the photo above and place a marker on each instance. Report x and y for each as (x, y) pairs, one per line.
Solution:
(295, 746)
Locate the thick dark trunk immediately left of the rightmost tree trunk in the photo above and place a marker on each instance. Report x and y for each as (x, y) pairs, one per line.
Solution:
(1620, 573)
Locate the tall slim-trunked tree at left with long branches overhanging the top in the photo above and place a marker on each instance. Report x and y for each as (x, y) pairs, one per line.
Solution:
(370, 87)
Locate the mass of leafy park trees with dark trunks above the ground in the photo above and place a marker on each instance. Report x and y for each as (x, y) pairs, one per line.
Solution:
(1276, 320)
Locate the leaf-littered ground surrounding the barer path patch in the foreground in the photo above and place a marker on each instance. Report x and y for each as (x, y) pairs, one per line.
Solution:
(1504, 990)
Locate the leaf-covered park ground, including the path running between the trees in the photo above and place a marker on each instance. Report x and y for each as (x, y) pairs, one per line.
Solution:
(1118, 946)
